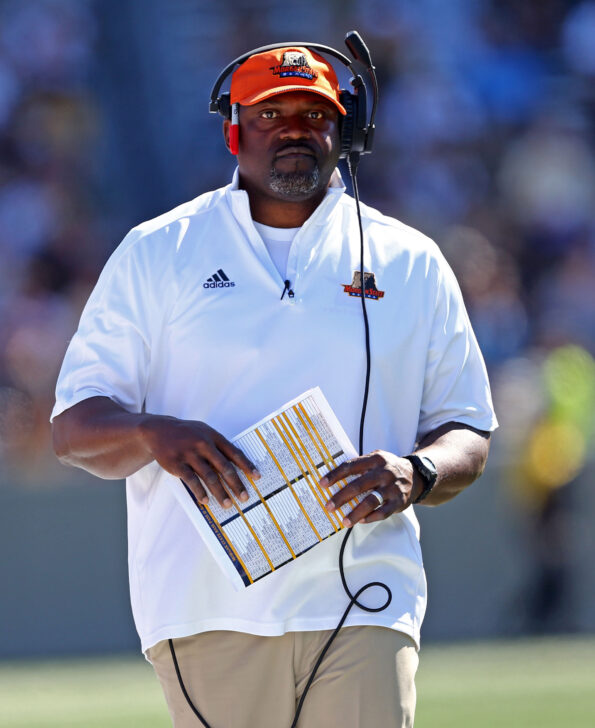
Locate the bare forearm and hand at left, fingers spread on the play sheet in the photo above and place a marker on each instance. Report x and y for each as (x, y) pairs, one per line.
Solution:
(101, 437)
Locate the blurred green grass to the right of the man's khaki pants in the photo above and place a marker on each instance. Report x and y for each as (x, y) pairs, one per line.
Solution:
(543, 683)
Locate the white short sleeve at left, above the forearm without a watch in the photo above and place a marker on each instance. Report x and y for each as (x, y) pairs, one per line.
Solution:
(110, 352)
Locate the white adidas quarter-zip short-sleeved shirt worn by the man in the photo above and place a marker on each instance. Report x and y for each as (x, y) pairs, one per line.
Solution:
(187, 320)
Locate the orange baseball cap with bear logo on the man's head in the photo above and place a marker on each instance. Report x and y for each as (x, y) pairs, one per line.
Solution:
(281, 70)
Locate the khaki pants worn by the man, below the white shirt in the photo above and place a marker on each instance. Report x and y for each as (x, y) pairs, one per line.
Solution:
(238, 680)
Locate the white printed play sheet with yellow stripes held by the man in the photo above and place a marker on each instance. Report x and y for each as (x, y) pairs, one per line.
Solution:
(284, 517)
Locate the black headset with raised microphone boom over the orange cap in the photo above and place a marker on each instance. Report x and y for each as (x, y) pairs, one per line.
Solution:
(357, 133)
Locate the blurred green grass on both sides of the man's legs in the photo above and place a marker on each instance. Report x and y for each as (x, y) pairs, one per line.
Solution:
(526, 684)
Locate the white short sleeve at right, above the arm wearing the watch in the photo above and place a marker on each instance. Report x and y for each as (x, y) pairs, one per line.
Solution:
(456, 386)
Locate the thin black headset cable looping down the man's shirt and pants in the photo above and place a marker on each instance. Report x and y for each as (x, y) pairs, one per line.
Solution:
(352, 162)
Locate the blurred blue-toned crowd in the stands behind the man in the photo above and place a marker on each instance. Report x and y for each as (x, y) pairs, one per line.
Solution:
(485, 142)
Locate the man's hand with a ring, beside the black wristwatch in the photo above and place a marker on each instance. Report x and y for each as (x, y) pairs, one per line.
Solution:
(380, 471)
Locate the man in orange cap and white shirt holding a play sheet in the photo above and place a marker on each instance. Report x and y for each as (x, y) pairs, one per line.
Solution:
(166, 366)
